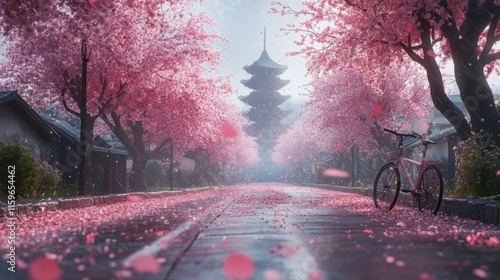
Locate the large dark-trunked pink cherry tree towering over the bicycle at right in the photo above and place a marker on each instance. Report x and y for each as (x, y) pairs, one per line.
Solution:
(368, 34)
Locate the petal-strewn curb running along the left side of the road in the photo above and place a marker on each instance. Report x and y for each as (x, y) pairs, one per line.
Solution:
(41, 206)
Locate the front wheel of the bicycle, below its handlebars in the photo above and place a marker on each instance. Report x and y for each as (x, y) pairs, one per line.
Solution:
(386, 187)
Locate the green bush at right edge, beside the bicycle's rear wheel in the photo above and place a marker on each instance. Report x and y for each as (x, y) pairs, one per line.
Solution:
(478, 160)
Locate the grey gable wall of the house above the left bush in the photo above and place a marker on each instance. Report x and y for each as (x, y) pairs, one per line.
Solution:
(16, 127)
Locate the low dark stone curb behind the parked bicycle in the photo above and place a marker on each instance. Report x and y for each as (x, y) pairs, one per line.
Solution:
(485, 210)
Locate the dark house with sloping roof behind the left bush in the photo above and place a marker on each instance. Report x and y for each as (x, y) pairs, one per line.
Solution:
(55, 142)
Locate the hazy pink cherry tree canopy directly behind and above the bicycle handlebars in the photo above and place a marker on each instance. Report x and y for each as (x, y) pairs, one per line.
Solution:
(348, 103)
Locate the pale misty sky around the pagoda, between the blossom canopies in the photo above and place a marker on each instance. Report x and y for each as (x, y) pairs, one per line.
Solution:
(242, 22)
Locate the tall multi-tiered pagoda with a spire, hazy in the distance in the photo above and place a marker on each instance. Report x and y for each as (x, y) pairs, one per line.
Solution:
(264, 101)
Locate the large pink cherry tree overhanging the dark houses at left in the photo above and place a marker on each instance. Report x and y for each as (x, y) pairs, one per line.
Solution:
(144, 57)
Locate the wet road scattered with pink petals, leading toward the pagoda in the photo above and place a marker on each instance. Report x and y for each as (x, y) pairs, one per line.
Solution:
(258, 231)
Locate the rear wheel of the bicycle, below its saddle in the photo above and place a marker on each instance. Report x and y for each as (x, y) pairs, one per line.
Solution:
(430, 193)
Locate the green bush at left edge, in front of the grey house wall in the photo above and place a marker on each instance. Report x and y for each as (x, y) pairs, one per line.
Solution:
(31, 178)
